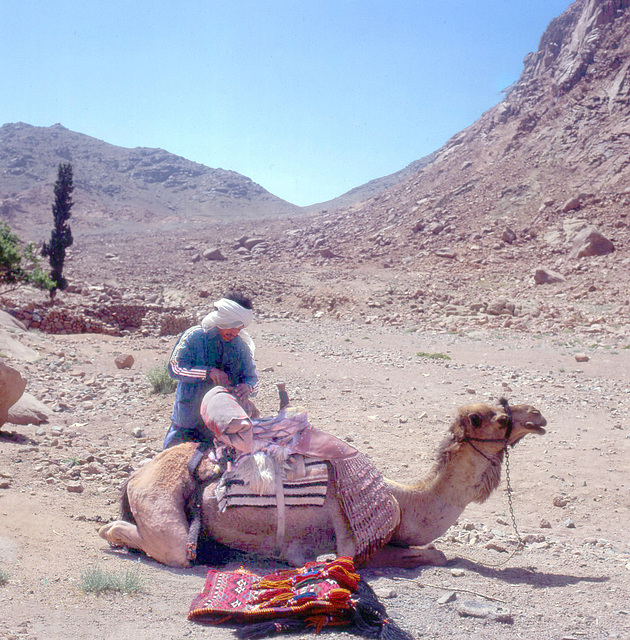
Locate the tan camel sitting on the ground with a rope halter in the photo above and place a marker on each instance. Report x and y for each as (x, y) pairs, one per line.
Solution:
(467, 469)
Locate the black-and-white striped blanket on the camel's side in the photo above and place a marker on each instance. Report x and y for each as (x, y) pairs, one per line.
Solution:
(307, 491)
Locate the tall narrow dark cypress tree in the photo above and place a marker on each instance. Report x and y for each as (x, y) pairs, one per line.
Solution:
(61, 236)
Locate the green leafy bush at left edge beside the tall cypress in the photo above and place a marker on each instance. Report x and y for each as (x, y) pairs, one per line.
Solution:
(19, 263)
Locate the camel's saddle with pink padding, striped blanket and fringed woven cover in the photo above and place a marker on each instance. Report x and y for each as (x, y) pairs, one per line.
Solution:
(290, 464)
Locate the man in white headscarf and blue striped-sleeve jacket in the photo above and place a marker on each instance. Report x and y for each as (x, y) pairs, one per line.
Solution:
(217, 352)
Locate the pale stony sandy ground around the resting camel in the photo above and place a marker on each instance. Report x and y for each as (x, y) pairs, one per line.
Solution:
(371, 386)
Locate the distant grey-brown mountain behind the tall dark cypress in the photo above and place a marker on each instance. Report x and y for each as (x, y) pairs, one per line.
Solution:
(115, 186)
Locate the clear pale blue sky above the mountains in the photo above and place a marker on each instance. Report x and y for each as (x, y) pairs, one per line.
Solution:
(307, 98)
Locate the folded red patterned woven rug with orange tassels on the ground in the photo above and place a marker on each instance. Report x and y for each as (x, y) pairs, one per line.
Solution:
(318, 595)
